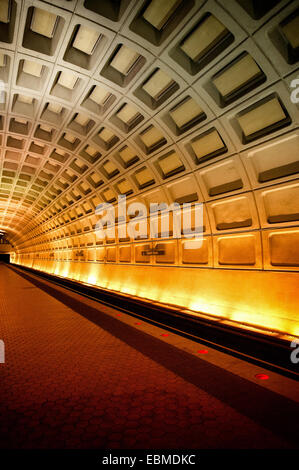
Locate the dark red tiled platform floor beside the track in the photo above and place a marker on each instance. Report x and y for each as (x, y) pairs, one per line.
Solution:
(75, 377)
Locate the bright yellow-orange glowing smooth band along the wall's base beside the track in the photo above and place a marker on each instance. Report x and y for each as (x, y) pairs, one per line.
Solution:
(265, 299)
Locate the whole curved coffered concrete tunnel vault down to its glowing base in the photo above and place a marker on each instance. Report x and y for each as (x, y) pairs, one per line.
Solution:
(134, 106)
